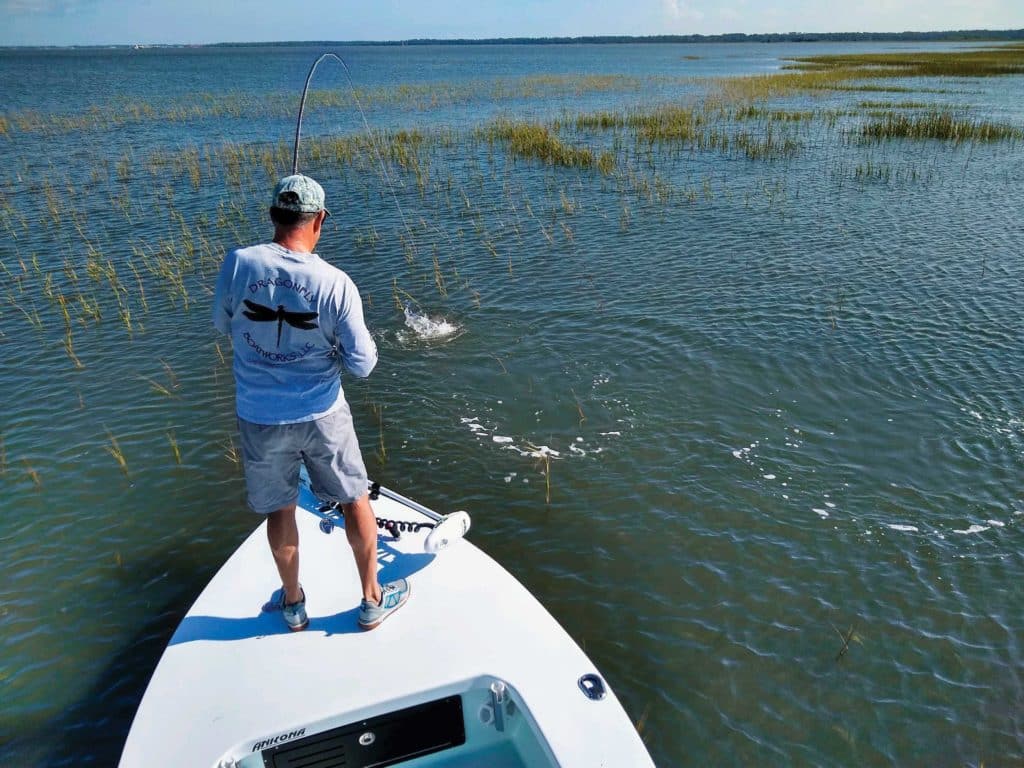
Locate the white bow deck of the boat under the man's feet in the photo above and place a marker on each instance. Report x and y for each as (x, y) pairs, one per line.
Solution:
(234, 680)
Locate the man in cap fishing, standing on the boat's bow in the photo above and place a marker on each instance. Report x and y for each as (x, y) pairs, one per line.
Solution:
(295, 323)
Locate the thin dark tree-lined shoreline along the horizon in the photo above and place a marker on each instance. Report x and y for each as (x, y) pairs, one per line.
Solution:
(790, 37)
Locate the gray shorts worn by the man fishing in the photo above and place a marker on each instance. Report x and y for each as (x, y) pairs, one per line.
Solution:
(328, 447)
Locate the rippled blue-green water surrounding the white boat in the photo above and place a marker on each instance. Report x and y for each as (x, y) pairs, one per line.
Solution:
(777, 407)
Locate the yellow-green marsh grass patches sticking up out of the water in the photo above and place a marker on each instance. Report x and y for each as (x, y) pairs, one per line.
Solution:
(634, 154)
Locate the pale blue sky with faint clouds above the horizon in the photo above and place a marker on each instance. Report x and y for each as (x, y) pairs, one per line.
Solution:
(105, 22)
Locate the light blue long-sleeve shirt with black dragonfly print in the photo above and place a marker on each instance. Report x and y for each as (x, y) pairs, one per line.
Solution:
(295, 323)
